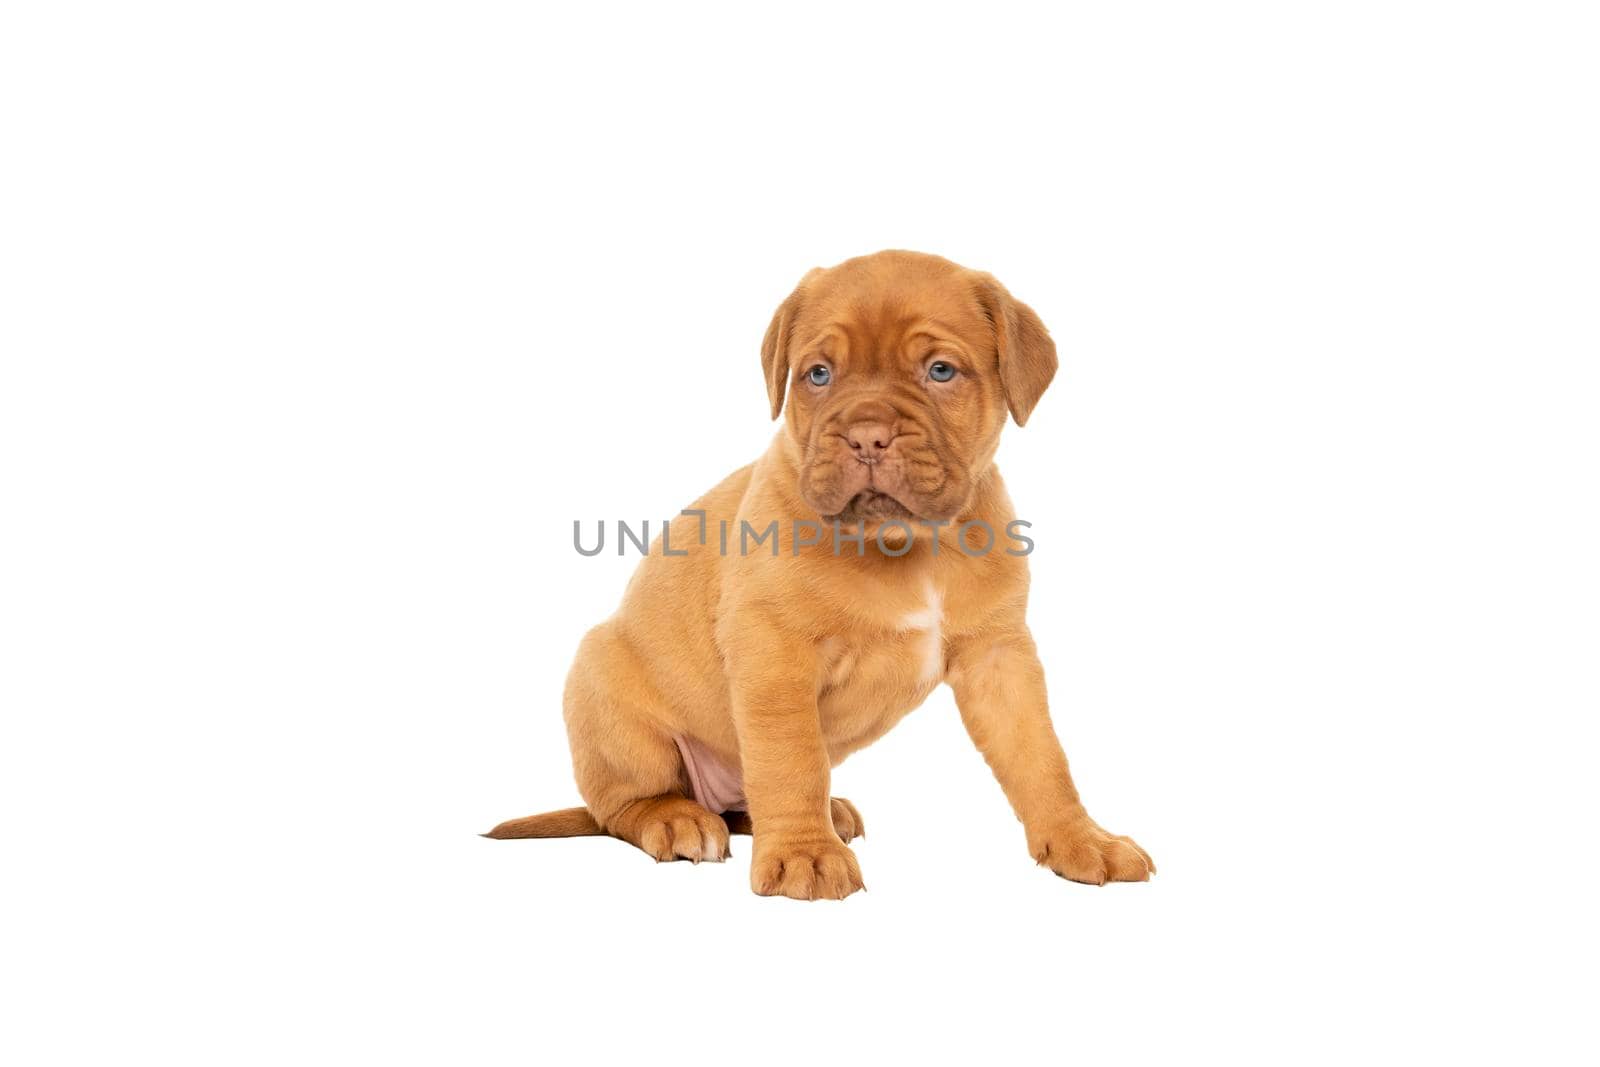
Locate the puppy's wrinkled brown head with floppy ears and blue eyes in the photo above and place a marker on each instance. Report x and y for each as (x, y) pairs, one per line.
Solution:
(900, 370)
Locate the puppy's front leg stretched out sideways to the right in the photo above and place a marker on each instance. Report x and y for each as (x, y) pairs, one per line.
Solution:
(1001, 690)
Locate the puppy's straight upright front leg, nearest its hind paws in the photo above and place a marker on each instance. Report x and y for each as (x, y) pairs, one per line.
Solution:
(774, 682)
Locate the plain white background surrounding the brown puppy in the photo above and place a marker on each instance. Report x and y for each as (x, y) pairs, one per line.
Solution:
(324, 322)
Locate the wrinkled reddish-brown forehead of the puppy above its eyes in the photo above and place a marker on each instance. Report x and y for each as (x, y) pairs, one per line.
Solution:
(854, 316)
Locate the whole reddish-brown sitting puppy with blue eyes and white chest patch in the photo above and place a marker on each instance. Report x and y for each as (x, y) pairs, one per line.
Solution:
(732, 681)
